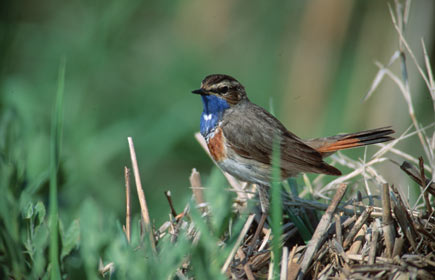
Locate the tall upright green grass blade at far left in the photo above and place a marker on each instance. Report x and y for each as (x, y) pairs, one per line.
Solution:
(55, 143)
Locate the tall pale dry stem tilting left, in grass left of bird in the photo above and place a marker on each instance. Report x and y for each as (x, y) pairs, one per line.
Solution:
(141, 194)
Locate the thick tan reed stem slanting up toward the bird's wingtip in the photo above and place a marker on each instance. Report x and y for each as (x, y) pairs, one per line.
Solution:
(321, 230)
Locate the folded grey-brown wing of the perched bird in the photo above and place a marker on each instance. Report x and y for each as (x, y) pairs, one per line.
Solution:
(250, 131)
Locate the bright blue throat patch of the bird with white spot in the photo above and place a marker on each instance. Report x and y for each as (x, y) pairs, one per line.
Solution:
(214, 108)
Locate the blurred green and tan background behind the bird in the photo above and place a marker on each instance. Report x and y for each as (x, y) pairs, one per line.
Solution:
(132, 64)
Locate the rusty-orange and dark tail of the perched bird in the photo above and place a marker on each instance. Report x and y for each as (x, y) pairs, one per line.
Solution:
(329, 145)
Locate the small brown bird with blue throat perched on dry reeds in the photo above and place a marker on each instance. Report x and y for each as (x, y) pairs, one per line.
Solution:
(240, 137)
